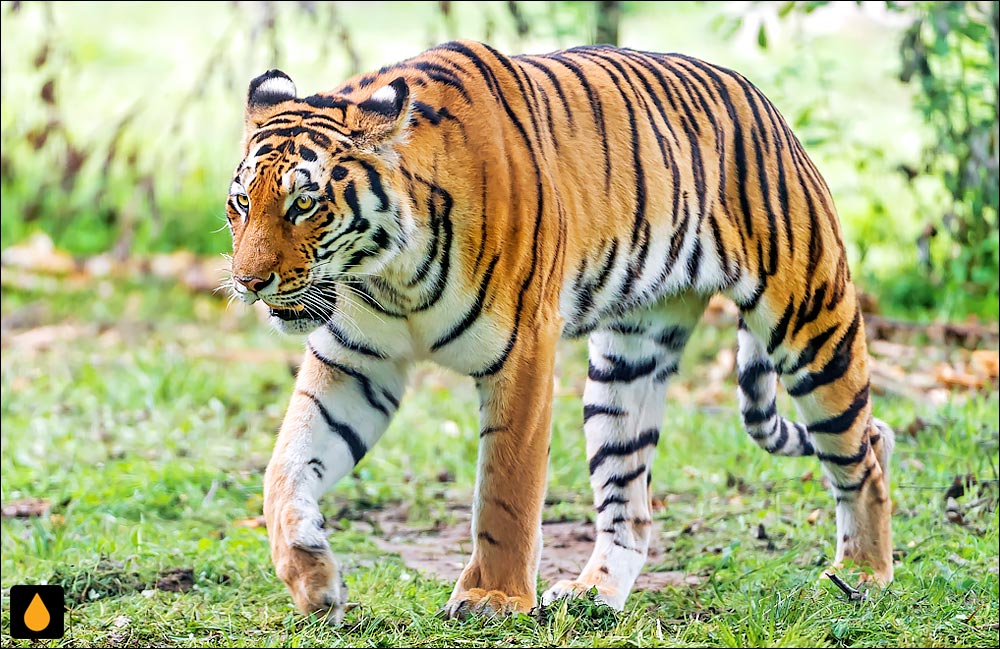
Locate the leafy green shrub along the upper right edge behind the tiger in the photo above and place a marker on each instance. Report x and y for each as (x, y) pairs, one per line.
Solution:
(950, 50)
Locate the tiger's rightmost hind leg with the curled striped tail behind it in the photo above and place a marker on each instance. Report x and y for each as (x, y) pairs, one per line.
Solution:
(829, 381)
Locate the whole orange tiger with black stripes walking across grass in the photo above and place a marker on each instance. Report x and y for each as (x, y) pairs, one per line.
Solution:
(470, 208)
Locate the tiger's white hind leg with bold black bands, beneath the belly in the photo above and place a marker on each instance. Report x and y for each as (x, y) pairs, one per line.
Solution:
(630, 362)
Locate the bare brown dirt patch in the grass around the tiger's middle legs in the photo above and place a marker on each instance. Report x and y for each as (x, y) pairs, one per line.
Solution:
(443, 549)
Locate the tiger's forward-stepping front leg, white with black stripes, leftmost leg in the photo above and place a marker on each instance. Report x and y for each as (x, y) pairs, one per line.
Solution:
(340, 408)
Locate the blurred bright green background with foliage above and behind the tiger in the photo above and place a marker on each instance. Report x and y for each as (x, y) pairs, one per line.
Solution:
(121, 121)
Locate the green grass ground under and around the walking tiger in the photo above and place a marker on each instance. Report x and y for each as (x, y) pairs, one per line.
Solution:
(146, 413)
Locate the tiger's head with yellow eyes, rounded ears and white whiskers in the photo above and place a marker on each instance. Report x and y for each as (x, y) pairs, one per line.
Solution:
(313, 204)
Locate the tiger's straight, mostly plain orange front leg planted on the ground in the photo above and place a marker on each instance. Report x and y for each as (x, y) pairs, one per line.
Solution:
(515, 417)
